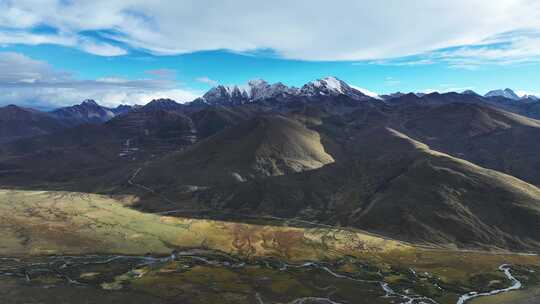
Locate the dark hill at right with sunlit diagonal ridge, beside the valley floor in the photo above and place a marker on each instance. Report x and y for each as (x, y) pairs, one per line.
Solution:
(398, 187)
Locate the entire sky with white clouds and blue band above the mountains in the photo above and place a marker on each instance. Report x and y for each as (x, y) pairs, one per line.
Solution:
(60, 52)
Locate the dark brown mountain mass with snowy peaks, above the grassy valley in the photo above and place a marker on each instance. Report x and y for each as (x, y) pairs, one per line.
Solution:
(445, 169)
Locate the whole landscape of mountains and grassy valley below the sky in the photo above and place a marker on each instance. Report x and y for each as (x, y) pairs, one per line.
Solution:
(277, 195)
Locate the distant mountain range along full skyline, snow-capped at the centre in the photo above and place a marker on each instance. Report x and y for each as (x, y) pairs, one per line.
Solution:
(25, 122)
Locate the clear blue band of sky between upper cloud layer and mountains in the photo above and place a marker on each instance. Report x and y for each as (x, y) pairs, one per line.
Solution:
(233, 68)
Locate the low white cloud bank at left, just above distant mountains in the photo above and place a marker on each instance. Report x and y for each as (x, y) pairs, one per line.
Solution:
(30, 82)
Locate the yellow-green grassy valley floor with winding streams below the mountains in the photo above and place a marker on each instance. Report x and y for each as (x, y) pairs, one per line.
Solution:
(60, 244)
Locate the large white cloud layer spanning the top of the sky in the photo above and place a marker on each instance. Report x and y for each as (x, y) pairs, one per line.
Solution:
(359, 30)
